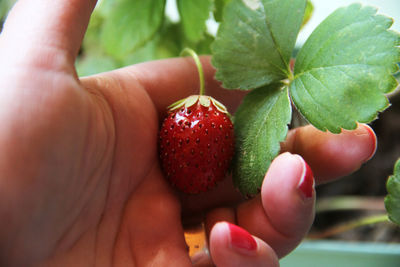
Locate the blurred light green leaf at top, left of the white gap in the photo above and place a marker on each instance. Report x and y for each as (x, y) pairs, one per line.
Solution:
(130, 25)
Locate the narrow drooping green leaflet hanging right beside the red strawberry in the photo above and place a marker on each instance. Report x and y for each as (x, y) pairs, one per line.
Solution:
(260, 125)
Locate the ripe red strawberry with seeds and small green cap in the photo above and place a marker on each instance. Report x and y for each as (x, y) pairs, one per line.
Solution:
(196, 143)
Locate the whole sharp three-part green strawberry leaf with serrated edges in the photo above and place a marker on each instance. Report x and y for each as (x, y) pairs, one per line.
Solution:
(340, 78)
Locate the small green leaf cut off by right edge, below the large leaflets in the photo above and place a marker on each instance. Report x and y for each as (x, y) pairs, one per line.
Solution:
(392, 200)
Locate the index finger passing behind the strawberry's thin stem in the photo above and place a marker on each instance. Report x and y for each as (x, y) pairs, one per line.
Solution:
(167, 81)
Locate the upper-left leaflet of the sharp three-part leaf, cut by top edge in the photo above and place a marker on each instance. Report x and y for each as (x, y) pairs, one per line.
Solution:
(255, 41)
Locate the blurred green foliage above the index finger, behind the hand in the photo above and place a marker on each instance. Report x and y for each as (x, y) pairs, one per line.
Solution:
(124, 32)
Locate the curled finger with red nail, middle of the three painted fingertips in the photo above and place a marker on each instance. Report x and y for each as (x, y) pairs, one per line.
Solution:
(284, 211)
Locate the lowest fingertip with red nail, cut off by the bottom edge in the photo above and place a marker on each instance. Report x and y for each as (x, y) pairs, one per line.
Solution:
(232, 246)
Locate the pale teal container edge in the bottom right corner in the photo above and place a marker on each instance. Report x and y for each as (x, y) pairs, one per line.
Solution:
(343, 254)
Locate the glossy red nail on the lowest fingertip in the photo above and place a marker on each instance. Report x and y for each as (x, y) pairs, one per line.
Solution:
(241, 240)
